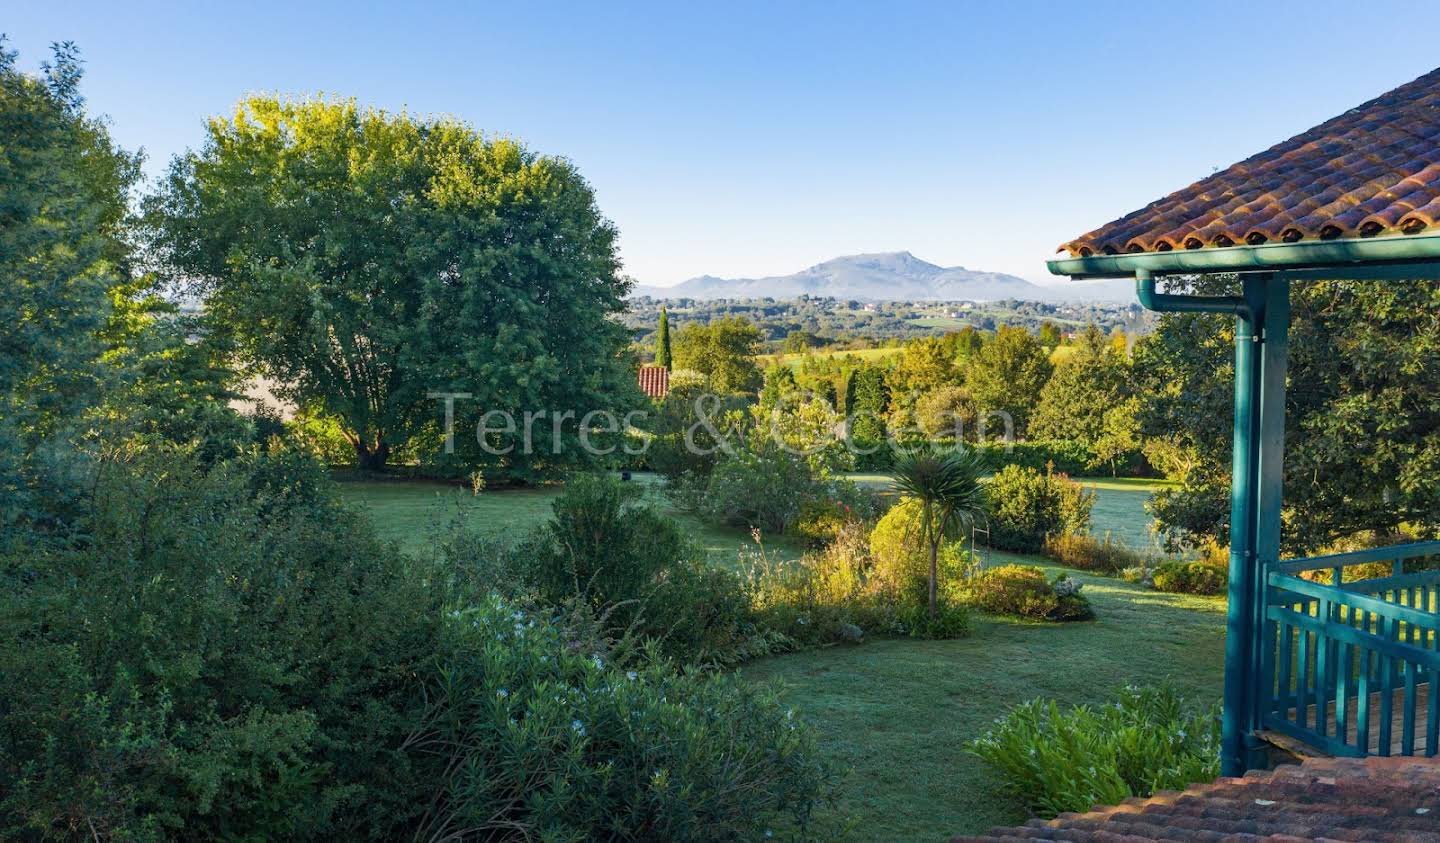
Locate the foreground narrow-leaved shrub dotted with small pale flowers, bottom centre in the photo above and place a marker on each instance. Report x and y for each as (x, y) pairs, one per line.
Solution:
(529, 737)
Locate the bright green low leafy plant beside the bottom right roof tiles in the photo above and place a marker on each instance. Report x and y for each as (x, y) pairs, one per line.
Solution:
(1072, 760)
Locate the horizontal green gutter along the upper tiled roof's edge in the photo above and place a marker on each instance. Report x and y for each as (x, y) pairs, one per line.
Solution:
(1333, 256)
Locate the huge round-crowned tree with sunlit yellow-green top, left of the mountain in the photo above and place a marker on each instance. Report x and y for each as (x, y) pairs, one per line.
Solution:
(366, 262)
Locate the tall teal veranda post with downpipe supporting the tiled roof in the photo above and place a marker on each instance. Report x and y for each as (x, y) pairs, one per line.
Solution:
(1262, 349)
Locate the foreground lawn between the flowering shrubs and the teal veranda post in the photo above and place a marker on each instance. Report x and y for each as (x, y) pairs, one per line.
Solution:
(898, 713)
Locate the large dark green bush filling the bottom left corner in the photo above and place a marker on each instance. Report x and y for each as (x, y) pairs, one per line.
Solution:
(228, 651)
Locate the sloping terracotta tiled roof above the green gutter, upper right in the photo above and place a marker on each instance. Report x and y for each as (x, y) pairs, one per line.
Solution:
(1373, 171)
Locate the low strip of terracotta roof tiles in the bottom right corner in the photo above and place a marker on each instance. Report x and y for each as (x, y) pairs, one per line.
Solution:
(1326, 799)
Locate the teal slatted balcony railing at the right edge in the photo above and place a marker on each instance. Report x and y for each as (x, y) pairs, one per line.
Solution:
(1351, 652)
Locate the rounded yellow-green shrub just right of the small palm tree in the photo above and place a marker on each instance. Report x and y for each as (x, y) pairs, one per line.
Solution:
(1027, 507)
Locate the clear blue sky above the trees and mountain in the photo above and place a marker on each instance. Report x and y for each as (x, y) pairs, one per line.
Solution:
(738, 139)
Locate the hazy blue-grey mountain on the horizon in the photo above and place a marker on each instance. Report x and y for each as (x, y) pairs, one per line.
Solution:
(892, 277)
